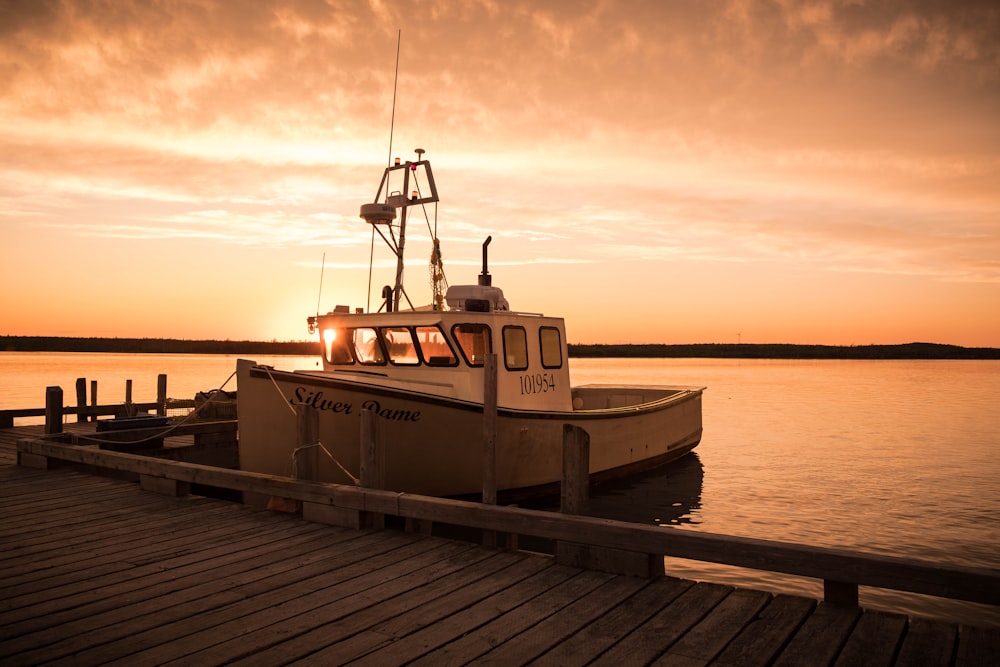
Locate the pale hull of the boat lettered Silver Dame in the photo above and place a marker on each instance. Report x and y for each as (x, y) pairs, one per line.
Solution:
(433, 444)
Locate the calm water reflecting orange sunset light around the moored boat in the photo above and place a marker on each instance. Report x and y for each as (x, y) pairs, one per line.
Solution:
(891, 457)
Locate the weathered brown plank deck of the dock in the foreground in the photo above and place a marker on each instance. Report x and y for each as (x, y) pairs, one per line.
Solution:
(96, 571)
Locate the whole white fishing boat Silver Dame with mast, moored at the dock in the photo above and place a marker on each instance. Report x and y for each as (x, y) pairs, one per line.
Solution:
(423, 372)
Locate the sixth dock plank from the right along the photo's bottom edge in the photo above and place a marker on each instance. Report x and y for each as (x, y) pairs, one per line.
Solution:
(710, 636)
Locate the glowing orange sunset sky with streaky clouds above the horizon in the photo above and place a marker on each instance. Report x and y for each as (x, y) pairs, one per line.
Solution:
(676, 172)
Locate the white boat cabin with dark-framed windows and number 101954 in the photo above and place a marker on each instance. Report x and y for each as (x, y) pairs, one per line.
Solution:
(443, 352)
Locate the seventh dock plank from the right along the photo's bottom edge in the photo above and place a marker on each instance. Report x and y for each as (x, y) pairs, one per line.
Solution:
(652, 638)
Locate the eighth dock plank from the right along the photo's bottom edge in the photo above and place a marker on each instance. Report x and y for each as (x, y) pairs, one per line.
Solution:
(615, 624)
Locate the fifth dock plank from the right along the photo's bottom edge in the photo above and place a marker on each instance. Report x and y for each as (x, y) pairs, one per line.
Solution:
(764, 637)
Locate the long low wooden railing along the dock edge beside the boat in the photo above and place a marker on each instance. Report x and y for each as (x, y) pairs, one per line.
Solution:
(841, 571)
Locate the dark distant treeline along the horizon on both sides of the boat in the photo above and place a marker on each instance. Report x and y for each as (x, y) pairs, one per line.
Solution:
(707, 350)
